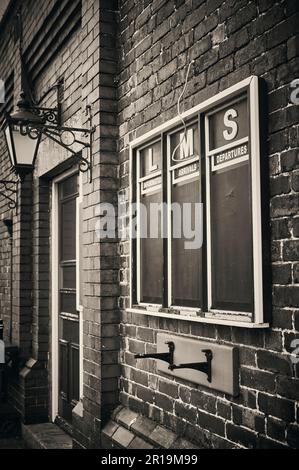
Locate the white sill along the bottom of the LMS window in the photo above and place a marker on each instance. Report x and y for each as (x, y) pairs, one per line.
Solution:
(197, 319)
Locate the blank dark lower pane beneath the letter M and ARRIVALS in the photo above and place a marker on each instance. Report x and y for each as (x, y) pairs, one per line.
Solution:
(186, 263)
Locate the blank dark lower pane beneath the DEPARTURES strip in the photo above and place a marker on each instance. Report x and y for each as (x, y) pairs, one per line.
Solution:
(231, 243)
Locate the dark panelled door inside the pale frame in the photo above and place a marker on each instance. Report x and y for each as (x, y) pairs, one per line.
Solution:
(68, 321)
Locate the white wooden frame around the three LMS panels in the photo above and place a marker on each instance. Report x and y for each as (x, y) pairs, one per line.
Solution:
(238, 319)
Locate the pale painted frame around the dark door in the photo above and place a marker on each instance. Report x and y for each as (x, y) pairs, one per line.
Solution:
(55, 290)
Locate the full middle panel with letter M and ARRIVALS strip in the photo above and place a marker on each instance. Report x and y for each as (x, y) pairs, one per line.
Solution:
(184, 178)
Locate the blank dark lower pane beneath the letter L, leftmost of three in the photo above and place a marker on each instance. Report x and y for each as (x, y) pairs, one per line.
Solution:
(151, 254)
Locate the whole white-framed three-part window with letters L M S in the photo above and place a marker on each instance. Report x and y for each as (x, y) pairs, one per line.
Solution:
(196, 217)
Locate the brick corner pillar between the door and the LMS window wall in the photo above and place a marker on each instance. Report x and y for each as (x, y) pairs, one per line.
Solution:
(100, 263)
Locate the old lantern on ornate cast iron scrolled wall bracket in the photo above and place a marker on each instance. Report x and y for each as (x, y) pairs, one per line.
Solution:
(25, 128)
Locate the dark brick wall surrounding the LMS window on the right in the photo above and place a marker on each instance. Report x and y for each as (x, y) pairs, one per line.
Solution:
(229, 40)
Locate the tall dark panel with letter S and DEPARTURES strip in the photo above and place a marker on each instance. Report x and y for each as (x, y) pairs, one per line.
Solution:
(230, 252)
